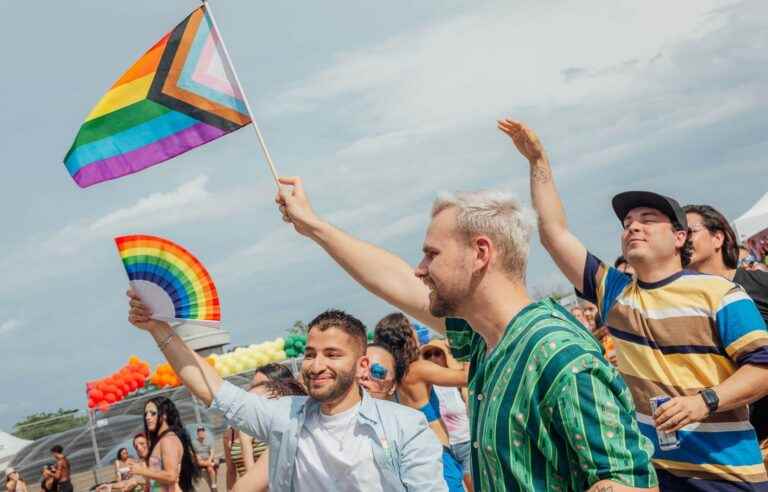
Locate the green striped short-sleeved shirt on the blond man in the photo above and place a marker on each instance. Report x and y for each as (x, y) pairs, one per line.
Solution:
(547, 411)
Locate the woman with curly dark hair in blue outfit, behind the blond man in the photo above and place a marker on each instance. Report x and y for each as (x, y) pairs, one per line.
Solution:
(415, 378)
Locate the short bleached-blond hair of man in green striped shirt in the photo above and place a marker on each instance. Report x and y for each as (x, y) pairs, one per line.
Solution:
(498, 215)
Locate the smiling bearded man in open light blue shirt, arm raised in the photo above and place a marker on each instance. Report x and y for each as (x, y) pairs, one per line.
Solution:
(338, 438)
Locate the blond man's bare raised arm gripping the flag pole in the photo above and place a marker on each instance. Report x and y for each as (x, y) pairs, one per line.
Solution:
(382, 273)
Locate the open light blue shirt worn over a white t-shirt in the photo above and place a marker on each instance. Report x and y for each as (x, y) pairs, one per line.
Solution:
(405, 451)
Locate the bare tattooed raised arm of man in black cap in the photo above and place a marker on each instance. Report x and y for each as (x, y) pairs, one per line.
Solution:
(566, 250)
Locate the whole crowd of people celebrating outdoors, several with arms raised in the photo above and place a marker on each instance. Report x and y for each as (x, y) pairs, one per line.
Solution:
(656, 380)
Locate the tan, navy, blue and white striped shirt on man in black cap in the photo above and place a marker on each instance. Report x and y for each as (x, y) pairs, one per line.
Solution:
(675, 337)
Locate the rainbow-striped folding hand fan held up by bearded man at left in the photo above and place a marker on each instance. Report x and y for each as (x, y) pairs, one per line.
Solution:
(172, 282)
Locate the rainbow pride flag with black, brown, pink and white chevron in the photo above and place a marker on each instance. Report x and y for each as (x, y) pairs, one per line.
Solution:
(180, 94)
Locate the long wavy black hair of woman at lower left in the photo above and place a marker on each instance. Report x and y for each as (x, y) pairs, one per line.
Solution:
(167, 412)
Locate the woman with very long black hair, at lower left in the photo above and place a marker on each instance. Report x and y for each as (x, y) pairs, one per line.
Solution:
(171, 458)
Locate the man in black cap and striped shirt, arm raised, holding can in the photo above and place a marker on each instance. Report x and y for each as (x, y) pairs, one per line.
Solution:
(671, 328)
